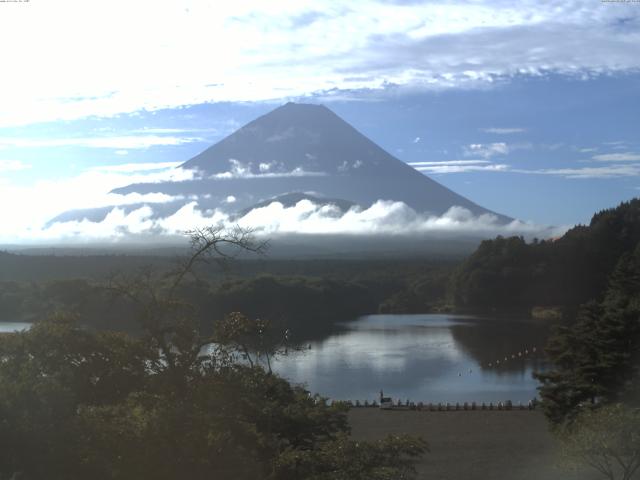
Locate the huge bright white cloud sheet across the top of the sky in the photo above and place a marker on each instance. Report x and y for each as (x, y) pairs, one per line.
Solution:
(267, 52)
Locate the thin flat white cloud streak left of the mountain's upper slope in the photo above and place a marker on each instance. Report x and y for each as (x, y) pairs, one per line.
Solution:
(120, 142)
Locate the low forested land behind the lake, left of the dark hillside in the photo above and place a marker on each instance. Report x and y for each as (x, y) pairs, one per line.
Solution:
(309, 296)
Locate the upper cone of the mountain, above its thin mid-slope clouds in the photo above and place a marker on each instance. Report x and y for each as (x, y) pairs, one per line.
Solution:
(309, 138)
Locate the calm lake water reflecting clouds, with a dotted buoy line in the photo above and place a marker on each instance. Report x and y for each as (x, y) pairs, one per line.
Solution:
(428, 358)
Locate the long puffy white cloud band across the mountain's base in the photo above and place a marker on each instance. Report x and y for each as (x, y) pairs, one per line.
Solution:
(307, 218)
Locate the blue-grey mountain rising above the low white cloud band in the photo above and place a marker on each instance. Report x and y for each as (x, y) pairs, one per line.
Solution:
(296, 149)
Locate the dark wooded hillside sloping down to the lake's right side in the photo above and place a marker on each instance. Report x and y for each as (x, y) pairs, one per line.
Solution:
(508, 273)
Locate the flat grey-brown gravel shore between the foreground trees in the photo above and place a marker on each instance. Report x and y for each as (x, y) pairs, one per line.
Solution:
(470, 445)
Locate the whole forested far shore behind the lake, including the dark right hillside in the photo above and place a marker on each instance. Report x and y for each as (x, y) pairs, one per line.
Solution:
(503, 274)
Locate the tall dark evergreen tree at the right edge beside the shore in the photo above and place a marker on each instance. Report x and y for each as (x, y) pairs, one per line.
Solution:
(596, 359)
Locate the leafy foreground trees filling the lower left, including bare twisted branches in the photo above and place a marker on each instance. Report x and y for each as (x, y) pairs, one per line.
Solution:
(76, 403)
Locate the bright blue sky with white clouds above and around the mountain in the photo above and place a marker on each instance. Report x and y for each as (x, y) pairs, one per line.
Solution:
(530, 110)
